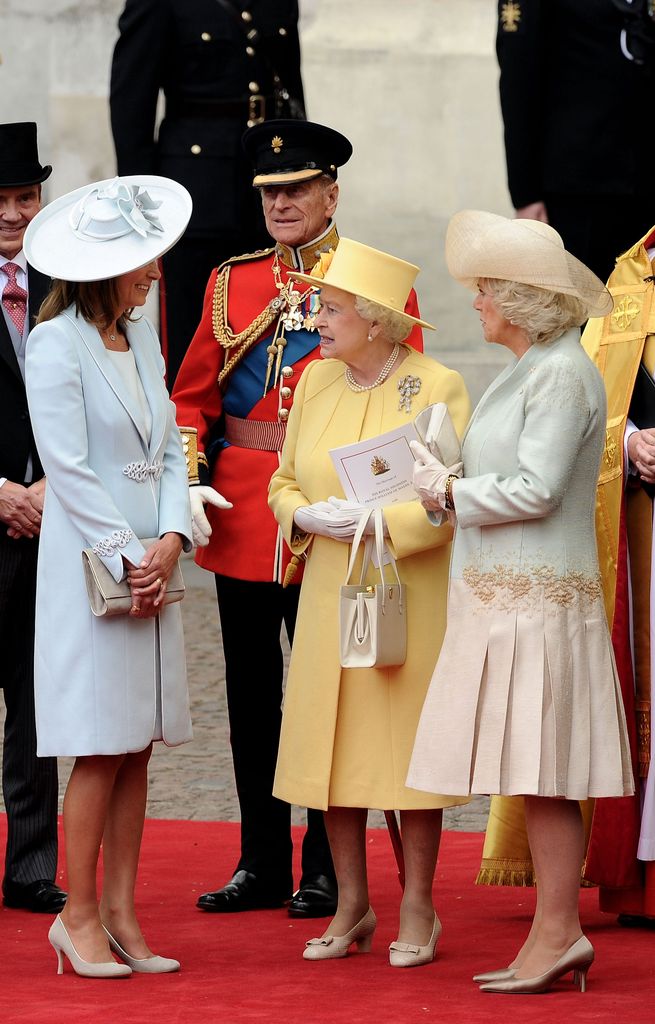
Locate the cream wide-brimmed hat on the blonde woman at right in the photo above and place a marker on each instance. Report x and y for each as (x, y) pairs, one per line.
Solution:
(486, 245)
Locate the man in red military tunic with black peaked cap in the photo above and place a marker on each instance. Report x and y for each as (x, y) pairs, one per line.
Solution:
(234, 395)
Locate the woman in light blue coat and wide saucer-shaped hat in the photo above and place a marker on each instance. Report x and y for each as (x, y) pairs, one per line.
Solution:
(107, 688)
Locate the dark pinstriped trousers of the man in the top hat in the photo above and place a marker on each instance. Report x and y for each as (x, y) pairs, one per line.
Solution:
(29, 784)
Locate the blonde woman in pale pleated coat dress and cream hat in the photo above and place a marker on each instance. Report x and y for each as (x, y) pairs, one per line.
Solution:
(526, 699)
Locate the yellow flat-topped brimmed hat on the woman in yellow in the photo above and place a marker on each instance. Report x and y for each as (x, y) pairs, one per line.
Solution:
(360, 270)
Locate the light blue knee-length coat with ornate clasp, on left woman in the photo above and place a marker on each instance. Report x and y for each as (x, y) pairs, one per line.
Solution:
(102, 686)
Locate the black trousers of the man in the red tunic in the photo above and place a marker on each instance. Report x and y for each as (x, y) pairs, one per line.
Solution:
(252, 617)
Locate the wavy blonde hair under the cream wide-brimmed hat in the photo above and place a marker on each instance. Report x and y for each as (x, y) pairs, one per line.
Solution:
(543, 315)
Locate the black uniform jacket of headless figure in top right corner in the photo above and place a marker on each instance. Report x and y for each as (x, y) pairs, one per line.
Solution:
(578, 113)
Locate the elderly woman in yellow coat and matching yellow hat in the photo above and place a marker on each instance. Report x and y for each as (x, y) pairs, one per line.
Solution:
(347, 734)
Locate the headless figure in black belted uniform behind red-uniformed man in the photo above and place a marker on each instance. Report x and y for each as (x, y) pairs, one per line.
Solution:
(223, 66)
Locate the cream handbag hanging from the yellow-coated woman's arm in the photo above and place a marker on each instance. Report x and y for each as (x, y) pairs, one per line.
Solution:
(372, 618)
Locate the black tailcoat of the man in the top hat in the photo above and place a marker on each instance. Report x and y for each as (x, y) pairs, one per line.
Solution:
(17, 440)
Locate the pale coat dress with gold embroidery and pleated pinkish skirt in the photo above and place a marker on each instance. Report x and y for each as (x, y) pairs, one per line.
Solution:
(526, 697)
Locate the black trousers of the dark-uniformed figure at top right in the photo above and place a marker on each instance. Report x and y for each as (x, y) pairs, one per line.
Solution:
(598, 229)
